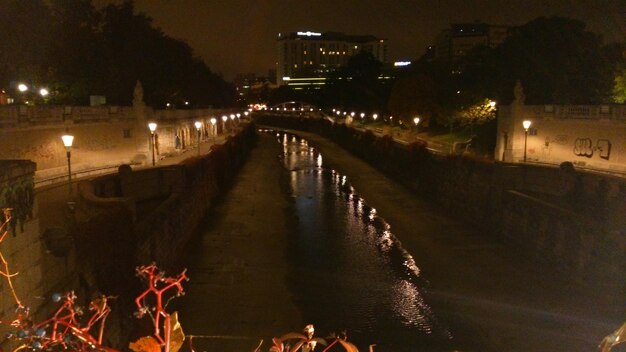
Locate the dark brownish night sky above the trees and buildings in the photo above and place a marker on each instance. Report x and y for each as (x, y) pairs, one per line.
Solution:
(239, 36)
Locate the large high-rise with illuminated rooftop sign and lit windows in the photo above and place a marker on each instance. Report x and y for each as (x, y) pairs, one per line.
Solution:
(311, 56)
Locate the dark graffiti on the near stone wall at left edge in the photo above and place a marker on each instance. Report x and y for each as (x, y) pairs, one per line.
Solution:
(20, 197)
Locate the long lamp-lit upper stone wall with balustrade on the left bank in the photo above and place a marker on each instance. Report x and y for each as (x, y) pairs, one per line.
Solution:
(104, 136)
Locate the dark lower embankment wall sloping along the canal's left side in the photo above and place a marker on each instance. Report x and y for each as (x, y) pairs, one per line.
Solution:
(149, 215)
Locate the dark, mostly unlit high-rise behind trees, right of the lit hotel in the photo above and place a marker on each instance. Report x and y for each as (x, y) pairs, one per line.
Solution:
(457, 40)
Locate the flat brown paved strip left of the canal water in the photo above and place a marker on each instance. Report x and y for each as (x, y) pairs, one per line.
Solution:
(237, 292)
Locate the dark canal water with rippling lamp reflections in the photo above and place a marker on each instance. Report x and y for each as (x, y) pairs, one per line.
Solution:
(348, 272)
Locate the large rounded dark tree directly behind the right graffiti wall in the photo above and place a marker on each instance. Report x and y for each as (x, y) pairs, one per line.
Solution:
(557, 61)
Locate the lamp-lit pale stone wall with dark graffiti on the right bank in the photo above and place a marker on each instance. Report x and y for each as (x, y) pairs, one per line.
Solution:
(589, 136)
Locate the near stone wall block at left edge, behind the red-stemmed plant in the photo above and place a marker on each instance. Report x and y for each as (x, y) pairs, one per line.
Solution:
(37, 272)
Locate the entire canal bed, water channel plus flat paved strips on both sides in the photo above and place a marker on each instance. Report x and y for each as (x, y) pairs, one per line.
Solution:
(304, 237)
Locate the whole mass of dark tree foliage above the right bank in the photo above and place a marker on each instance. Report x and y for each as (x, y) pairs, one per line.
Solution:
(556, 60)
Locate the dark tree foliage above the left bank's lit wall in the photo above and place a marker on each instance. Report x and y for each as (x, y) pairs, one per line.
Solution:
(77, 50)
